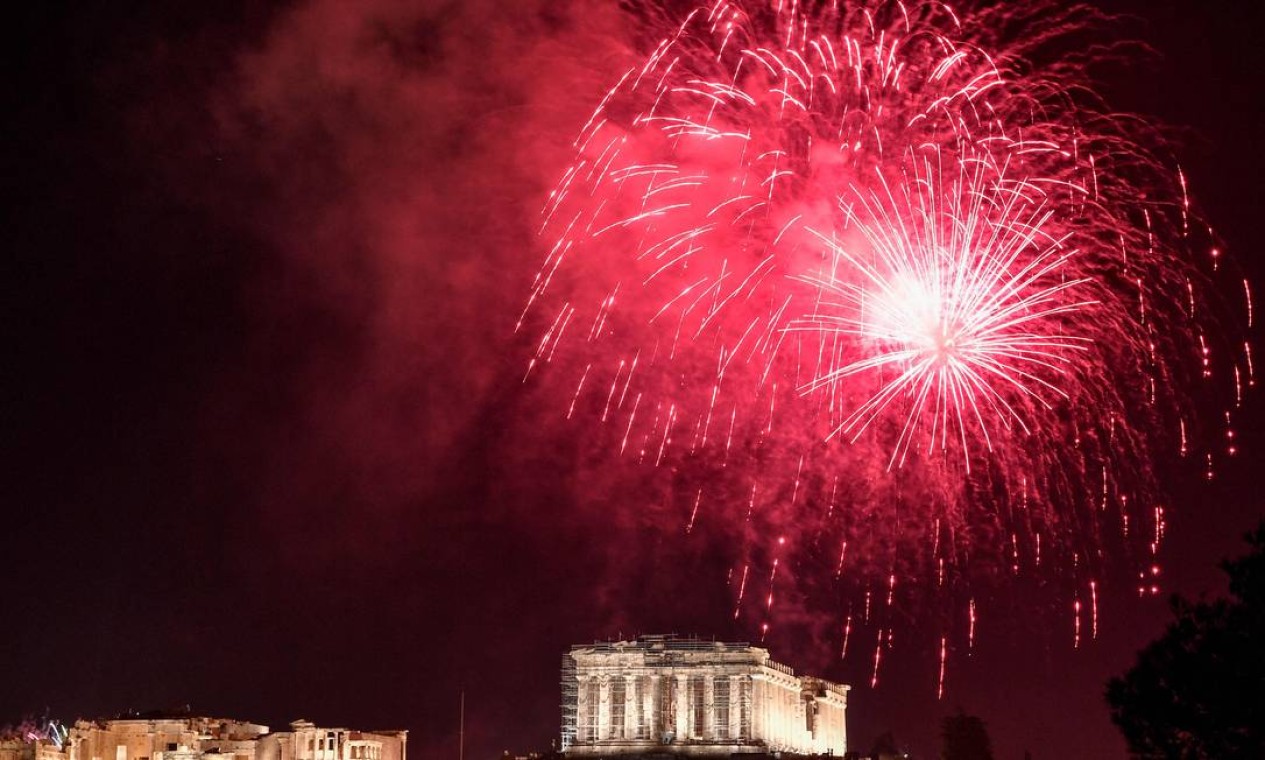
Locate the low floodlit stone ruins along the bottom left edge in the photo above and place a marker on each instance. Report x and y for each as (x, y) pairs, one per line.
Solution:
(211, 739)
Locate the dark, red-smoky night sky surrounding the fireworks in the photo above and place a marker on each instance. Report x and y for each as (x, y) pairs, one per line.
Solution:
(268, 448)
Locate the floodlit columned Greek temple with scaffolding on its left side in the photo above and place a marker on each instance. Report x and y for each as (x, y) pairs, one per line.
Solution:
(688, 696)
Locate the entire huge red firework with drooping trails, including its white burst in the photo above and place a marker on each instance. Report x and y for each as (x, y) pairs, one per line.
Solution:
(887, 257)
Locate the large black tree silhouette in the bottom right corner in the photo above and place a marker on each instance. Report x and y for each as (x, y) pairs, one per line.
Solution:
(1199, 691)
